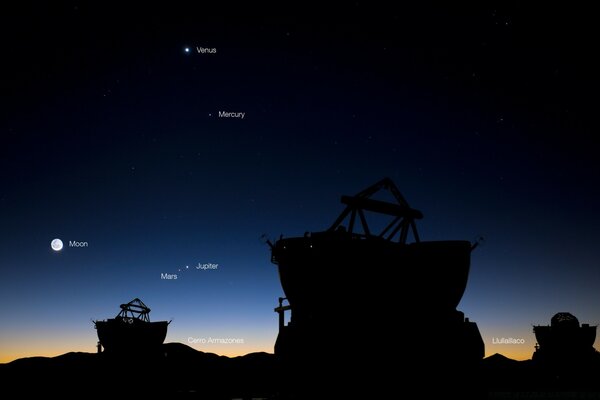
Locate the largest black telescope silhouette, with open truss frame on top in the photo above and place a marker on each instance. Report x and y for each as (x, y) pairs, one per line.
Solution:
(356, 293)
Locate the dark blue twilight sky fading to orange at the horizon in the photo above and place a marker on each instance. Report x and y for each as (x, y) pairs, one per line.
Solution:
(484, 117)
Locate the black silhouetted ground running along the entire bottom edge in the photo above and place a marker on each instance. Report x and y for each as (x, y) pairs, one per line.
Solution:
(181, 370)
